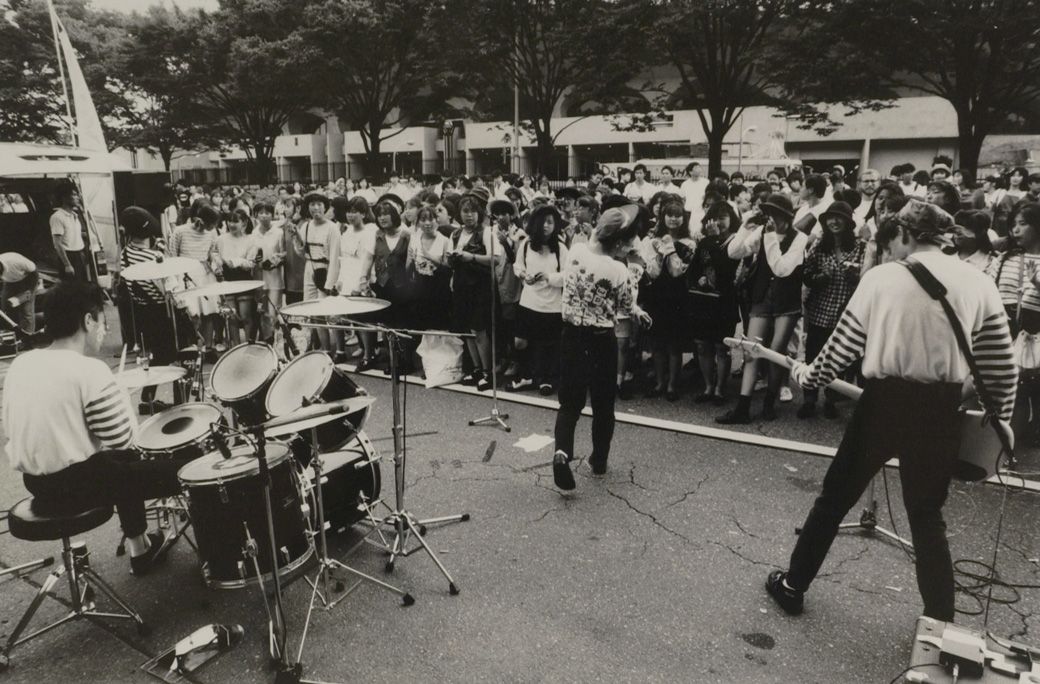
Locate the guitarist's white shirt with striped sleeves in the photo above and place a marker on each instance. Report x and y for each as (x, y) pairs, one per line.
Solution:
(901, 332)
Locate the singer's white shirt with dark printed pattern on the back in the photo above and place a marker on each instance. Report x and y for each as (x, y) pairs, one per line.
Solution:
(596, 290)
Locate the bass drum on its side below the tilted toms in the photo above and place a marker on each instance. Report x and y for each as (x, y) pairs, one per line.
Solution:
(349, 478)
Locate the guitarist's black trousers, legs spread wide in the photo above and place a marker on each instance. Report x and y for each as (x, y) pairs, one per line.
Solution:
(918, 424)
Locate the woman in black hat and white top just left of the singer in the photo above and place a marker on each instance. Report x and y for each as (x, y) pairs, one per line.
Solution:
(539, 265)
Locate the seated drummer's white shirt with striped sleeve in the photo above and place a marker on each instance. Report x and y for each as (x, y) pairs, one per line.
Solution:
(68, 408)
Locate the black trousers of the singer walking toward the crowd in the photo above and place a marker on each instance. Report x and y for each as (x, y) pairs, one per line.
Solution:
(589, 366)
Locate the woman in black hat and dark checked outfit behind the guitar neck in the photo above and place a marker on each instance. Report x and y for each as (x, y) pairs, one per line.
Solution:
(831, 272)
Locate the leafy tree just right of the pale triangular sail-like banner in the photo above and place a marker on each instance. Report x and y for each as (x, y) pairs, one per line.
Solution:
(158, 113)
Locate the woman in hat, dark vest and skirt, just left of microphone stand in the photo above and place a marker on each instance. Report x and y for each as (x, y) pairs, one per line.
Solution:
(472, 297)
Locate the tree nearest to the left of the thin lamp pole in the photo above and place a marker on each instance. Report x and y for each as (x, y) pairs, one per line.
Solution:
(387, 70)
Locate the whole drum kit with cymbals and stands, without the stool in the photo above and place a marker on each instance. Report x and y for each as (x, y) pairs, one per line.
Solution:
(289, 465)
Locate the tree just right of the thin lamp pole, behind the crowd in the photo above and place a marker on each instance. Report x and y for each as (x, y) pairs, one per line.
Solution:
(562, 55)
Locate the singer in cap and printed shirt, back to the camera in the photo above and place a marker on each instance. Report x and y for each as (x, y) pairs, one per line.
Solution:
(596, 291)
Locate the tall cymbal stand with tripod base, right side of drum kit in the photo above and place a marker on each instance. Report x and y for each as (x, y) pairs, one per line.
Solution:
(404, 523)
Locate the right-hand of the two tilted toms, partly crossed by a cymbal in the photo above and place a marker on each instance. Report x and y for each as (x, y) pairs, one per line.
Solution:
(311, 379)
